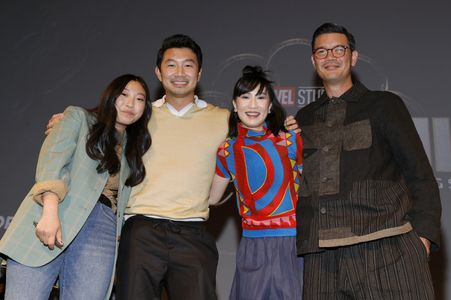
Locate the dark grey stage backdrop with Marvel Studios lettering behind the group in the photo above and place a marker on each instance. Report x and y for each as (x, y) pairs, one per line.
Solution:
(59, 53)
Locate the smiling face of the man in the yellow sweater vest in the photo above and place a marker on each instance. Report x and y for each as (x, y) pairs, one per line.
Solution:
(179, 73)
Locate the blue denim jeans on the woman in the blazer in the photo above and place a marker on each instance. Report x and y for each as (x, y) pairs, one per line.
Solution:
(84, 269)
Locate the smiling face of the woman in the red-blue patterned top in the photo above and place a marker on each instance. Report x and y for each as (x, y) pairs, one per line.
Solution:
(253, 108)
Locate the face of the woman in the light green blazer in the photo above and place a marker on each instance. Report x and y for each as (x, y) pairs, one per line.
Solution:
(130, 105)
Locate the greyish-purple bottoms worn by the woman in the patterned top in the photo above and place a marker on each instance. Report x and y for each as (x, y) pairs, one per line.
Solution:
(267, 268)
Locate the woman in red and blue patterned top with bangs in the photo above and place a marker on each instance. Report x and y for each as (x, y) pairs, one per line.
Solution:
(264, 162)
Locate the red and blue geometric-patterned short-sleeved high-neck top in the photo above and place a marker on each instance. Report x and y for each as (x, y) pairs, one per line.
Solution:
(265, 171)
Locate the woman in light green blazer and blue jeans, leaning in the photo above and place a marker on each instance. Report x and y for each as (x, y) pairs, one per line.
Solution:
(68, 225)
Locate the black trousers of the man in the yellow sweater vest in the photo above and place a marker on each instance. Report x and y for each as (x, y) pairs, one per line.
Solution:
(157, 253)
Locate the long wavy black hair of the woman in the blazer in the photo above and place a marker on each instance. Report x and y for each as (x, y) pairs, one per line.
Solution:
(102, 136)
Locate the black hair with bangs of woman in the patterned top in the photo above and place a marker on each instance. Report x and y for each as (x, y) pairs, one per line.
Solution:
(251, 78)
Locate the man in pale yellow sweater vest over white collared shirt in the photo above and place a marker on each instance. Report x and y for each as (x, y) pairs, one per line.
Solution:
(164, 242)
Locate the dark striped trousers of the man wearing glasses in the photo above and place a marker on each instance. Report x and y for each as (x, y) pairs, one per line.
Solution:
(389, 268)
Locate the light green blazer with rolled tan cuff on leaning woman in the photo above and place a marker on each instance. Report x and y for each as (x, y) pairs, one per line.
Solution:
(64, 168)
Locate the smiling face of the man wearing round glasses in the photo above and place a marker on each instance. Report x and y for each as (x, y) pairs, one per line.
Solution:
(334, 70)
